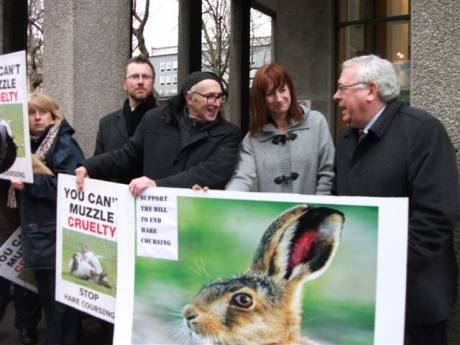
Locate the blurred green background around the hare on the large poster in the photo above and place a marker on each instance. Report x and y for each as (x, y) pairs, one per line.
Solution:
(218, 238)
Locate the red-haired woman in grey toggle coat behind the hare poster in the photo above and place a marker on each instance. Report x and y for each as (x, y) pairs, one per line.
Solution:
(288, 148)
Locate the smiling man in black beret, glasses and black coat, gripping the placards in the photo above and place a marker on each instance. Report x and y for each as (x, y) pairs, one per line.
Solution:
(185, 143)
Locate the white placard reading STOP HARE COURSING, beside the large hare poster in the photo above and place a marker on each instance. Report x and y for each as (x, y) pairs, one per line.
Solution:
(88, 227)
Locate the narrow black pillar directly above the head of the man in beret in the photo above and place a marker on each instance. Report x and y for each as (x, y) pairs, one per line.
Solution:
(189, 54)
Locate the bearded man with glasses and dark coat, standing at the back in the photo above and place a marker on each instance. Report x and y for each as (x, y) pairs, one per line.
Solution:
(116, 128)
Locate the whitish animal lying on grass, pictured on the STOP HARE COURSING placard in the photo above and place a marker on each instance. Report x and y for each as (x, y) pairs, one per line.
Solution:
(85, 264)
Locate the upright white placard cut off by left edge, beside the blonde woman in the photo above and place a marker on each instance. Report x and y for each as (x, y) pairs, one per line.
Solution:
(14, 112)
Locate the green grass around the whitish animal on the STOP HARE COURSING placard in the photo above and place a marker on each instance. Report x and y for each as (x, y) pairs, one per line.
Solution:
(105, 250)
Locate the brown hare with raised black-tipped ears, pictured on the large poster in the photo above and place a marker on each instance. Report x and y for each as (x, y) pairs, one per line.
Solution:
(264, 304)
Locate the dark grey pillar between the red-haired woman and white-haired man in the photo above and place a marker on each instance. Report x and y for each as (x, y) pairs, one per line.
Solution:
(304, 44)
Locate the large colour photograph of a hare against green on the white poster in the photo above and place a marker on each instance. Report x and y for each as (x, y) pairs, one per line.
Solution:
(261, 272)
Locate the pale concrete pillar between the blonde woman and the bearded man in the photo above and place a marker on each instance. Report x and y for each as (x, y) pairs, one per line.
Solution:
(87, 46)
